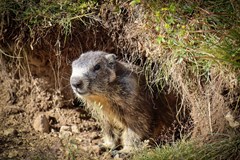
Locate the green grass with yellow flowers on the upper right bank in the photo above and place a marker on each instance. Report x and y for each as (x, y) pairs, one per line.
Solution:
(202, 34)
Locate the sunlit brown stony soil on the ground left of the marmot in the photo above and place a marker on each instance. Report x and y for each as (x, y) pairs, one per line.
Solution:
(70, 132)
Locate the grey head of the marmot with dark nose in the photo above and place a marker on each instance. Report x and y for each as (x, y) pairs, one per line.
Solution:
(92, 72)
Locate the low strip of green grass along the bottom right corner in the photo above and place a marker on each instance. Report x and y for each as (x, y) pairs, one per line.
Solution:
(227, 148)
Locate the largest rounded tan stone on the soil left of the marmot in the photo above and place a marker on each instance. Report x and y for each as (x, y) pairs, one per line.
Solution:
(41, 123)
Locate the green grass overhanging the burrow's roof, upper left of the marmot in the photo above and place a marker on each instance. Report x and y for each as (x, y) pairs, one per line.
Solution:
(44, 14)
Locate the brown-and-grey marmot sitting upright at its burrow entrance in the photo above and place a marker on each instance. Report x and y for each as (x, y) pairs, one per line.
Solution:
(120, 98)
